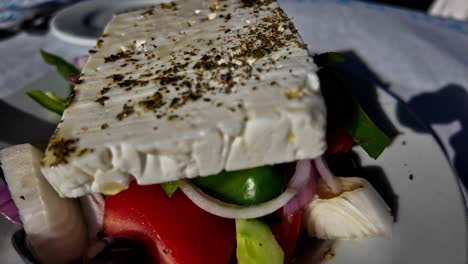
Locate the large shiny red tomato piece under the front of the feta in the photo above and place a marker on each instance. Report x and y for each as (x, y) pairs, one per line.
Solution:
(174, 230)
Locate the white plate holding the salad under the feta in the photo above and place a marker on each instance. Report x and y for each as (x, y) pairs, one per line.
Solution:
(431, 225)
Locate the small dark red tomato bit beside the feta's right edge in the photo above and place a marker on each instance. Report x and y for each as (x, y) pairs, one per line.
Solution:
(338, 139)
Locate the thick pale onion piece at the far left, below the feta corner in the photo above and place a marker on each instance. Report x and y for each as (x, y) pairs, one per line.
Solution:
(55, 228)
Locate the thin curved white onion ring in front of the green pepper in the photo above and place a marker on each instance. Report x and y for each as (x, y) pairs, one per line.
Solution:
(222, 209)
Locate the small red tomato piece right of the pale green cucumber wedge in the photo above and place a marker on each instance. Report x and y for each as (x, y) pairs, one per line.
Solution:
(286, 233)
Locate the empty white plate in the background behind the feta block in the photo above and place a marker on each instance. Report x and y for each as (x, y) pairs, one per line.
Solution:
(82, 23)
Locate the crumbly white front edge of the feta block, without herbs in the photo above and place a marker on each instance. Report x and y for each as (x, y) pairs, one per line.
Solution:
(109, 170)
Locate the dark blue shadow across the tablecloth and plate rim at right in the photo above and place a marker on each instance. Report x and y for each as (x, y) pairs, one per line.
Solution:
(448, 104)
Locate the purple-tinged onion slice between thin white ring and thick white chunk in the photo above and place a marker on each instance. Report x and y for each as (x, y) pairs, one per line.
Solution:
(304, 179)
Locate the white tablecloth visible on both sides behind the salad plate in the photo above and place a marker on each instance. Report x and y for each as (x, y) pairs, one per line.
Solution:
(422, 59)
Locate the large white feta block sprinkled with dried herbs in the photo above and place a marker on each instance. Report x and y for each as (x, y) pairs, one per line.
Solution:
(187, 89)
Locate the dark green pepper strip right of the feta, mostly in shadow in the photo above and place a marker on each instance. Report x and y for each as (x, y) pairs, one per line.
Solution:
(340, 101)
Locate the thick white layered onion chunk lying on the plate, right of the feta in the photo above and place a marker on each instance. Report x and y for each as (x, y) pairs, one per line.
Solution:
(358, 212)
